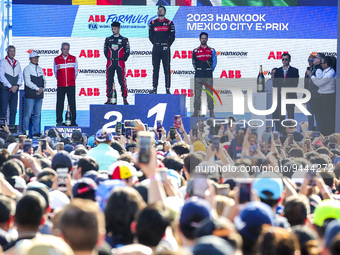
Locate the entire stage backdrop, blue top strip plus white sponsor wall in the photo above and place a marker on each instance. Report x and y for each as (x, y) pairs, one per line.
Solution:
(244, 38)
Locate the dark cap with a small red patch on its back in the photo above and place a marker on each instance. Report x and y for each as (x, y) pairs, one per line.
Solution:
(84, 188)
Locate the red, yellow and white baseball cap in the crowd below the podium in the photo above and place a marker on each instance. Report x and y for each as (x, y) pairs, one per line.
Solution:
(122, 170)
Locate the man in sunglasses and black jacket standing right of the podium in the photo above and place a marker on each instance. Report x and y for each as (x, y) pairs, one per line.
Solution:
(285, 76)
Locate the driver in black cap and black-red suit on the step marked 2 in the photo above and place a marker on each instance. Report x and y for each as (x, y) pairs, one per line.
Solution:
(117, 51)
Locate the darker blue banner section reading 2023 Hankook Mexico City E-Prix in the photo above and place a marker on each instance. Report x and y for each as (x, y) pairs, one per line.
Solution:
(254, 22)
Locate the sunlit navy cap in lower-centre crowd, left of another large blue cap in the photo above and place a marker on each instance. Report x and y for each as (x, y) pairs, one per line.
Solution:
(194, 211)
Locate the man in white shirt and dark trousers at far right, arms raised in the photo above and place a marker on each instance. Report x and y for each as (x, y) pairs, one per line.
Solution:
(326, 84)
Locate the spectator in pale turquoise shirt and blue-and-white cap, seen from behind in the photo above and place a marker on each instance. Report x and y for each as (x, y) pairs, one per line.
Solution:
(103, 153)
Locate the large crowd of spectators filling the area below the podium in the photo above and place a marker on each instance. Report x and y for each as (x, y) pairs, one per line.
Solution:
(93, 195)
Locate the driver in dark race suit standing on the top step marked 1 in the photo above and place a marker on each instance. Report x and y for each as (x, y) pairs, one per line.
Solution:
(161, 35)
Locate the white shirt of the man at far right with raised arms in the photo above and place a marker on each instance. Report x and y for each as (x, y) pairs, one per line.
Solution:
(326, 82)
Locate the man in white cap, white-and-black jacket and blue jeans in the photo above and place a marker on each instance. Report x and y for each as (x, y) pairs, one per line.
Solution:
(34, 93)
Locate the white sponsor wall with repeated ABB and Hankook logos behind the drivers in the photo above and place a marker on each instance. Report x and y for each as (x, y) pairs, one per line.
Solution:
(237, 59)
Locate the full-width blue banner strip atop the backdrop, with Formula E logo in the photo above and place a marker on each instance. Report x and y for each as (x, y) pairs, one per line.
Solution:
(224, 22)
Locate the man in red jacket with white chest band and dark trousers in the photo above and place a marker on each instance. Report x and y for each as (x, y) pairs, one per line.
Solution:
(66, 71)
